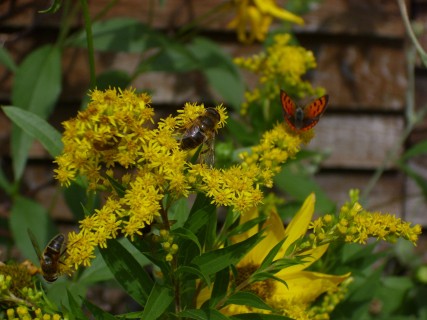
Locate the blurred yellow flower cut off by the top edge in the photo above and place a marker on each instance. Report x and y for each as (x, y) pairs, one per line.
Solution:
(254, 17)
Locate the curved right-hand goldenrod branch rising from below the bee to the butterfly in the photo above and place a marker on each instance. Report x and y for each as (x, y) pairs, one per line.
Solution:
(239, 185)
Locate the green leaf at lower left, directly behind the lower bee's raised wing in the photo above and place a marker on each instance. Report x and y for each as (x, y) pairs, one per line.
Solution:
(27, 214)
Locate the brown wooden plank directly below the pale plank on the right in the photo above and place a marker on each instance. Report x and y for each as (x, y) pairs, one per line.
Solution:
(386, 197)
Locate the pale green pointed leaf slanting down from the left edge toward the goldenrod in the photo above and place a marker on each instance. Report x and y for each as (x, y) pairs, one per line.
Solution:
(36, 128)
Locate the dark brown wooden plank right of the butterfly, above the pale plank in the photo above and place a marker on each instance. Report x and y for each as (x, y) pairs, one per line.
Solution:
(362, 77)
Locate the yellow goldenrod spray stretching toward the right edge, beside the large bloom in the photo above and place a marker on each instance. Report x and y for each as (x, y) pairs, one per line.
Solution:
(356, 225)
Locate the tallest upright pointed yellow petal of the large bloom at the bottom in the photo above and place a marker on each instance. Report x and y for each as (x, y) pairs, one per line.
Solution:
(299, 224)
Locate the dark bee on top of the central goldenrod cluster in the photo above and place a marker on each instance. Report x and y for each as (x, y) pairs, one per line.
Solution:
(202, 131)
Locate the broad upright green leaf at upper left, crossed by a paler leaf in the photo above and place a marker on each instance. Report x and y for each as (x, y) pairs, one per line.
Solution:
(37, 86)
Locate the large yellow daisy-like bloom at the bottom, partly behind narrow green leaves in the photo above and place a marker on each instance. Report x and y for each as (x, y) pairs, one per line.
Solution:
(302, 287)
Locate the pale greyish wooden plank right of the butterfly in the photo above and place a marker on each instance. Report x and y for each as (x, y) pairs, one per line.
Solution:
(357, 141)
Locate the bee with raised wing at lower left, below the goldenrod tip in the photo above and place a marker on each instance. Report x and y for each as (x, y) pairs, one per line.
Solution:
(50, 257)
